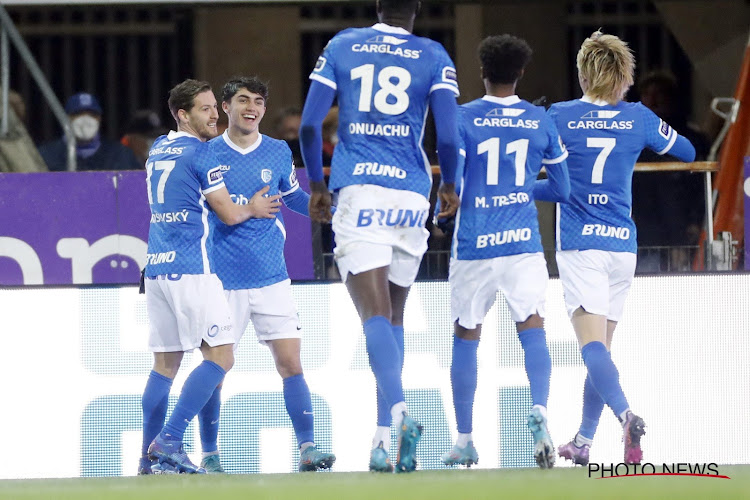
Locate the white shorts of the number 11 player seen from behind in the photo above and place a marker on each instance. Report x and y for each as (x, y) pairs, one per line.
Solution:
(474, 284)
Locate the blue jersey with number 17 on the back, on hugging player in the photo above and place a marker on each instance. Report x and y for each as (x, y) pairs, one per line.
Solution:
(180, 171)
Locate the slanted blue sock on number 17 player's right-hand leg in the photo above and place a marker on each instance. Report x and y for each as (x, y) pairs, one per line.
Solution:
(198, 388)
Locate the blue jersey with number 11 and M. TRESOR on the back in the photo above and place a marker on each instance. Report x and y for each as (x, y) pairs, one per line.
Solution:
(505, 141)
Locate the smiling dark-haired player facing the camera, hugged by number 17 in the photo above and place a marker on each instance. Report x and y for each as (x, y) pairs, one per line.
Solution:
(250, 263)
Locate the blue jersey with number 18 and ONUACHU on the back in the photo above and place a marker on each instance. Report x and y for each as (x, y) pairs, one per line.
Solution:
(383, 77)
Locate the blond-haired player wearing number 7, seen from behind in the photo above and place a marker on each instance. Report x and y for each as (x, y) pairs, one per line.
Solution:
(596, 237)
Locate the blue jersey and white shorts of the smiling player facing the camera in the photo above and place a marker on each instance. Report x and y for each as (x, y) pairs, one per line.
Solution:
(249, 257)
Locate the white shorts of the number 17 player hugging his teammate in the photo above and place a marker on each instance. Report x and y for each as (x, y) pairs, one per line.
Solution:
(185, 310)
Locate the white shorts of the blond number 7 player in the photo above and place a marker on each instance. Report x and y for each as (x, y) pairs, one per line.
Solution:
(596, 280)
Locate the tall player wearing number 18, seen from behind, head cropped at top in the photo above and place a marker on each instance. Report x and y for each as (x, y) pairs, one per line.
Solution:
(385, 79)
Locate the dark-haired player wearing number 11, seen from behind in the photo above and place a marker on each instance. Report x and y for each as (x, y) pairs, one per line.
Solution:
(496, 241)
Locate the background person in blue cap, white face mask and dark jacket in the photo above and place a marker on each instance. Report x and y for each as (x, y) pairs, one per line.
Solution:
(93, 152)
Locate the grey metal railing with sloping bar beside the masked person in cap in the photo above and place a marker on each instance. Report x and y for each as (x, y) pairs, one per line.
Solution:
(8, 30)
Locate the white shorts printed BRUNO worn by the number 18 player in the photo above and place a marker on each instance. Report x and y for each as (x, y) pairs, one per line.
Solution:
(377, 227)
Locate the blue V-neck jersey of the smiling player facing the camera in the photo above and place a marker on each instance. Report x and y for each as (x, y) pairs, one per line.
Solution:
(251, 254)
